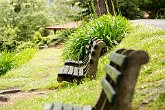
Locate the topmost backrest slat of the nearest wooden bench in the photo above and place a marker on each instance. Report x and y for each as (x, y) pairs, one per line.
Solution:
(118, 59)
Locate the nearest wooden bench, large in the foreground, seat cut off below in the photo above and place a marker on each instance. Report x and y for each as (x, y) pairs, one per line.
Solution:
(118, 85)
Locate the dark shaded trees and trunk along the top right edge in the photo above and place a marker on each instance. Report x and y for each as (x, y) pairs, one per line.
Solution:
(131, 9)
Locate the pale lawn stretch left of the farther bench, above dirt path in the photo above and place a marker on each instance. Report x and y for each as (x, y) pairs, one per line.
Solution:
(36, 74)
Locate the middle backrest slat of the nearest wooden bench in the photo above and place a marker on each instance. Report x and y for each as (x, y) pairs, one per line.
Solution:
(112, 72)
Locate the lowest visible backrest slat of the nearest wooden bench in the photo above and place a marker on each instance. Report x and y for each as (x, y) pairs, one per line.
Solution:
(108, 89)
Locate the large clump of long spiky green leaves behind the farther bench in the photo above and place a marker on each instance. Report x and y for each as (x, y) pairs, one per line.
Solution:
(109, 28)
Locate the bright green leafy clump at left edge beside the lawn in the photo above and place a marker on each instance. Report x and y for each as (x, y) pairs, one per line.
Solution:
(6, 62)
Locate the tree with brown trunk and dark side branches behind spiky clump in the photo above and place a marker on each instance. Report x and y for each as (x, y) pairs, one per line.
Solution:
(100, 7)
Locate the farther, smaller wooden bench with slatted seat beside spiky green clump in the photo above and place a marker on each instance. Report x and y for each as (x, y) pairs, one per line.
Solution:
(75, 71)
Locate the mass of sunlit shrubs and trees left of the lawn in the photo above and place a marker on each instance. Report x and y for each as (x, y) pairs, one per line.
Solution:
(23, 23)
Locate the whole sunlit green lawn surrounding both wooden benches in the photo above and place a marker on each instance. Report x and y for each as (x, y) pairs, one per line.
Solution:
(41, 73)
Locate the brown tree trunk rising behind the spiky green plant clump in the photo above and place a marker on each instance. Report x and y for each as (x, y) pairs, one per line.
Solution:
(105, 6)
